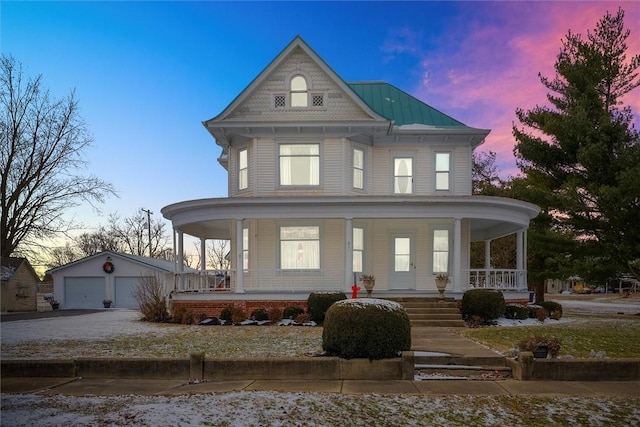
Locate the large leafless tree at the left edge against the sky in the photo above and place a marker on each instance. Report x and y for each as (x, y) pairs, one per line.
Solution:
(41, 145)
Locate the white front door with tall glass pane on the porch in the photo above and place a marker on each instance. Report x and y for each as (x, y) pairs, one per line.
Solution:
(403, 266)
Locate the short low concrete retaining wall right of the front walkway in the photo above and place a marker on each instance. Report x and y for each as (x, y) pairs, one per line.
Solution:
(526, 368)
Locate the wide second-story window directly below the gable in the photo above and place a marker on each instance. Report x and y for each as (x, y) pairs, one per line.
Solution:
(299, 164)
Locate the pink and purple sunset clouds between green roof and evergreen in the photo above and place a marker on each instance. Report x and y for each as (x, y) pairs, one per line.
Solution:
(494, 69)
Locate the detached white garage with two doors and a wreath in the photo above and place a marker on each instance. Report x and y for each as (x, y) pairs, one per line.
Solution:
(113, 276)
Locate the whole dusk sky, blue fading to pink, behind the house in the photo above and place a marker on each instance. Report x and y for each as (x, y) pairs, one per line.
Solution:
(147, 74)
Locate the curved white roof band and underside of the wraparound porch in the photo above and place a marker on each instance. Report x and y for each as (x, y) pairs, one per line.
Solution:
(489, 217)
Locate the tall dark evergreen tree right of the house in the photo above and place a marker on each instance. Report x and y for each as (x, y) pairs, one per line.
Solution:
(580, 154)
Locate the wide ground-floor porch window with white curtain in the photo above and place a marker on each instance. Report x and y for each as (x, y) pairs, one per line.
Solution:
(300, 248)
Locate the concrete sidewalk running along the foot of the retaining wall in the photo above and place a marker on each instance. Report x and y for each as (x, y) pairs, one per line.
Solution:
(110, 387)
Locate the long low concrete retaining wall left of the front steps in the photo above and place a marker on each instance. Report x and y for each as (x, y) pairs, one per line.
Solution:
(197, 367)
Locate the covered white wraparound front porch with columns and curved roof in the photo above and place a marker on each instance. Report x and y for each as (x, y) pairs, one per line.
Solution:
(400, 246)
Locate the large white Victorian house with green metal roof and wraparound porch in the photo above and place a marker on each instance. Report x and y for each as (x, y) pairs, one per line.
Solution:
(329, 180)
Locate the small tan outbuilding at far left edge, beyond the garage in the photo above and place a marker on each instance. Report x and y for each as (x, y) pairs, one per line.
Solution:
(19, 283)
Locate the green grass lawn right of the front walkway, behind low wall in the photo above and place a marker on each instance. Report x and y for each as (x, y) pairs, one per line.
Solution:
(618, 336)
